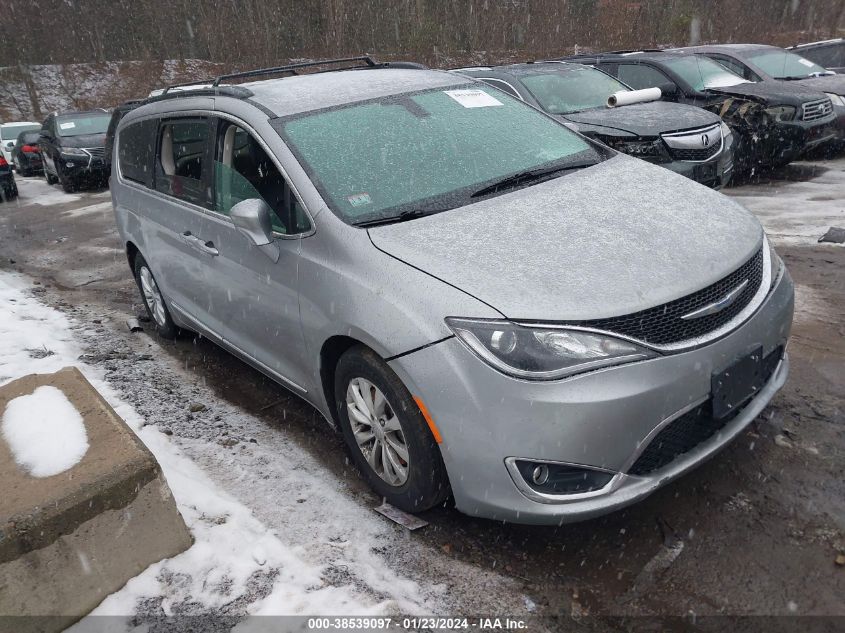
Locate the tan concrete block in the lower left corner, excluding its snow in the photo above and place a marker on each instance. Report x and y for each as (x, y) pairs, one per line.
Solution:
(69, 540)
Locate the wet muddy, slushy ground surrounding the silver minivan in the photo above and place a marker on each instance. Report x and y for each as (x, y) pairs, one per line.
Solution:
(754, 531)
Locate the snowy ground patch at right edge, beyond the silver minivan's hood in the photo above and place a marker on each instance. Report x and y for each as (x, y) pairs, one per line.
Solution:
(798, 213)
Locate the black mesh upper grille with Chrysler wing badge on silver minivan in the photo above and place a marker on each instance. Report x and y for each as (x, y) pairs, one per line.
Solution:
(663, 325)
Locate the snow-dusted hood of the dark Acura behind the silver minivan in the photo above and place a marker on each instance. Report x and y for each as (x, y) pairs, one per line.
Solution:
(646, 119)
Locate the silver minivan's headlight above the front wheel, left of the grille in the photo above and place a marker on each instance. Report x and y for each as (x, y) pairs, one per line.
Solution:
(541, 353)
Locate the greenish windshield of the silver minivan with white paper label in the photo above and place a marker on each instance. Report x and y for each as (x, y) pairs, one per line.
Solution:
(425, 152)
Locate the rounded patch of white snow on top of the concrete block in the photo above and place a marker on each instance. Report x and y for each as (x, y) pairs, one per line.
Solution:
(45, 432)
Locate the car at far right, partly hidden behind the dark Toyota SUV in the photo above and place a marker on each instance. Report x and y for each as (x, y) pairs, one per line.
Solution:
(758, 62)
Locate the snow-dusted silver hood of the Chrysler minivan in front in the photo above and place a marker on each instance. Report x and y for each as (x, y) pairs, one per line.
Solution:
(604, 241)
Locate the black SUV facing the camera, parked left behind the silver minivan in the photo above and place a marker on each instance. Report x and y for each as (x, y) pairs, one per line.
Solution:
(73, 148)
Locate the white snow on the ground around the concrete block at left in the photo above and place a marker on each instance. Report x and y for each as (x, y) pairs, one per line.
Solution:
(235, 558)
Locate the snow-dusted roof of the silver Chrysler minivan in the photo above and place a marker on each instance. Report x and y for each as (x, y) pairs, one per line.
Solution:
(316, 91)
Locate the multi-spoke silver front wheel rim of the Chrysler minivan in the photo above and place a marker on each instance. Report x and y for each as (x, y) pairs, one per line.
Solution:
(377, 431)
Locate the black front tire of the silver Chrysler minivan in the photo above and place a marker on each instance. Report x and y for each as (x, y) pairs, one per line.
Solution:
(426, 484)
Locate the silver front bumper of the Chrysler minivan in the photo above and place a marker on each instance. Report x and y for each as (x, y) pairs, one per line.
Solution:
(602, 419)
